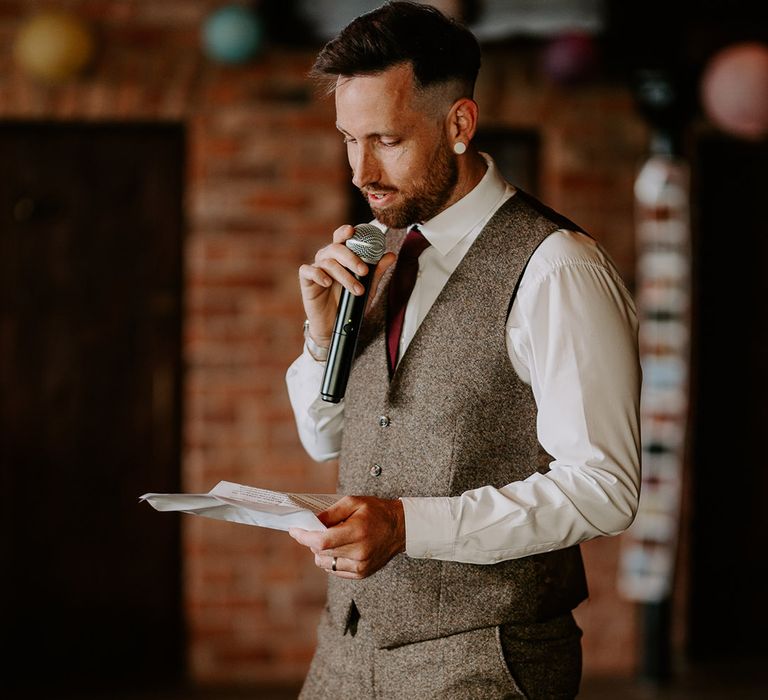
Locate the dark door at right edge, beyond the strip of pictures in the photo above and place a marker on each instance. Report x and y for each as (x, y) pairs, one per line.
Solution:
(729, 466)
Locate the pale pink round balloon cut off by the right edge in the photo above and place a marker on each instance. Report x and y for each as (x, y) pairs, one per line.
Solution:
(734, 89)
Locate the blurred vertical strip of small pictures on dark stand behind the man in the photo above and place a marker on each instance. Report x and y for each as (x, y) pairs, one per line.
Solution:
(663, 296)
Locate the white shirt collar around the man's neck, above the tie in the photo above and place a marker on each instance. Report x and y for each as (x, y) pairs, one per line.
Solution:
(445, 230)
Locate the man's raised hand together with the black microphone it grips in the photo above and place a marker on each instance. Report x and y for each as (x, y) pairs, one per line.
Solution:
(341, 262)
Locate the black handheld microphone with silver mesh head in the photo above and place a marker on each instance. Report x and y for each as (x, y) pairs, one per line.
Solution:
(368, 244)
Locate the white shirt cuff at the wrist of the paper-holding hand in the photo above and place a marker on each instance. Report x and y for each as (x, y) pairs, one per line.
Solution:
(430, 527)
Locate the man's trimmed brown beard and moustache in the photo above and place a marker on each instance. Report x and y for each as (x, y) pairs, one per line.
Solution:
(426, 197)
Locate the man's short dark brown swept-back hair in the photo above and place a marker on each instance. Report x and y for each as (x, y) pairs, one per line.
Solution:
(439, 48)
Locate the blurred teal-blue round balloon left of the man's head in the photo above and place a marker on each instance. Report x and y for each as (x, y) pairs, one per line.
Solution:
(232, 34)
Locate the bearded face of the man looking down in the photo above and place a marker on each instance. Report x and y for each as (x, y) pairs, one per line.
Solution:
(399, 153)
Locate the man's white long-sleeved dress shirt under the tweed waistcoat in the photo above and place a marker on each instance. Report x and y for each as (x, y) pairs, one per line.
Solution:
(572, 336)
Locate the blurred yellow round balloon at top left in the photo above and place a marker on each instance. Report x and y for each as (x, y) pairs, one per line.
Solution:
(54, 46)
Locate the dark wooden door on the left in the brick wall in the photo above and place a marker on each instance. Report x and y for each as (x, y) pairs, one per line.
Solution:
(90, 380)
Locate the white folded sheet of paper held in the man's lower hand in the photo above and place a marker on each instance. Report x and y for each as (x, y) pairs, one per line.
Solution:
(248, 505)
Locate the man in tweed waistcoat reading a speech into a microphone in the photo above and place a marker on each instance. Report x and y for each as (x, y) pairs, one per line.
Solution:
(498, 431)
